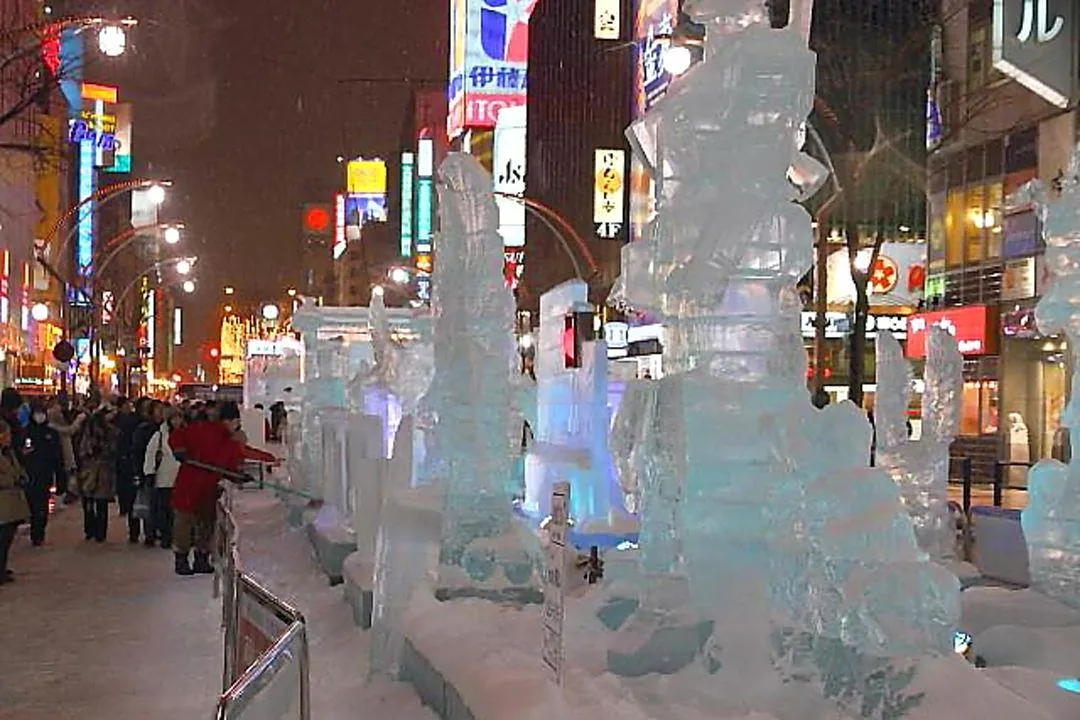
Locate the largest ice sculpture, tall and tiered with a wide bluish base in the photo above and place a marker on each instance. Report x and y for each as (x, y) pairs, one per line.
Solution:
(778, 551)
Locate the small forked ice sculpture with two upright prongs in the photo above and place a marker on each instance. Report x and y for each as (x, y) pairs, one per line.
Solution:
(921, 468)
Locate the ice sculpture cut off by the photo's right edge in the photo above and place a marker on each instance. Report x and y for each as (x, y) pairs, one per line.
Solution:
(1052, 519)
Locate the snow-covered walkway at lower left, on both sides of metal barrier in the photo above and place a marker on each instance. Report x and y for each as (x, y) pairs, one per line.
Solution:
(107, 632)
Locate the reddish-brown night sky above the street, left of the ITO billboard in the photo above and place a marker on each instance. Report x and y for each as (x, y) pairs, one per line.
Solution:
(241, 104)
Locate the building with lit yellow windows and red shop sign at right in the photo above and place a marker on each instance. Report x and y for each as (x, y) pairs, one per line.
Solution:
(1001, 121)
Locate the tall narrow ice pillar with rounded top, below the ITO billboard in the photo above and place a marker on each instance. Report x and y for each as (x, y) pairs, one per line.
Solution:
(469, 403)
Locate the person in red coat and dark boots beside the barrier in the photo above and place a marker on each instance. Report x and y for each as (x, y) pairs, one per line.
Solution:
(218, 443)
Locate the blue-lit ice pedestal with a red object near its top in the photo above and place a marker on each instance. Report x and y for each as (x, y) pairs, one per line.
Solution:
(573, 417)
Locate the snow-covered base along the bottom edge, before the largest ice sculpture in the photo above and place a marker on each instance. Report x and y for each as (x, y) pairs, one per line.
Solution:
(476, 661)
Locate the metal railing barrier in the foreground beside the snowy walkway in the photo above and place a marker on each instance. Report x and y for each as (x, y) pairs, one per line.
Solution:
(266, 641)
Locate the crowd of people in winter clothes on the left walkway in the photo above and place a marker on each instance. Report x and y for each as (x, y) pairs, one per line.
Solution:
(160, 464)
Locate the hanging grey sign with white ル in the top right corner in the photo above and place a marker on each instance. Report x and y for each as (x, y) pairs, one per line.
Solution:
(1035, 44)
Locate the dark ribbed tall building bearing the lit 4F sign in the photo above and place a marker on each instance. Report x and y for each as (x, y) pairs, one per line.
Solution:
(580, 83)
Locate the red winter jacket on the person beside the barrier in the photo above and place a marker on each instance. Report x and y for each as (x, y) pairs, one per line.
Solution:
(208, 442)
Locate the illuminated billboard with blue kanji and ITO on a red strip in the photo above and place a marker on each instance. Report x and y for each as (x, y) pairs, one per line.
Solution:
(490, 52)
